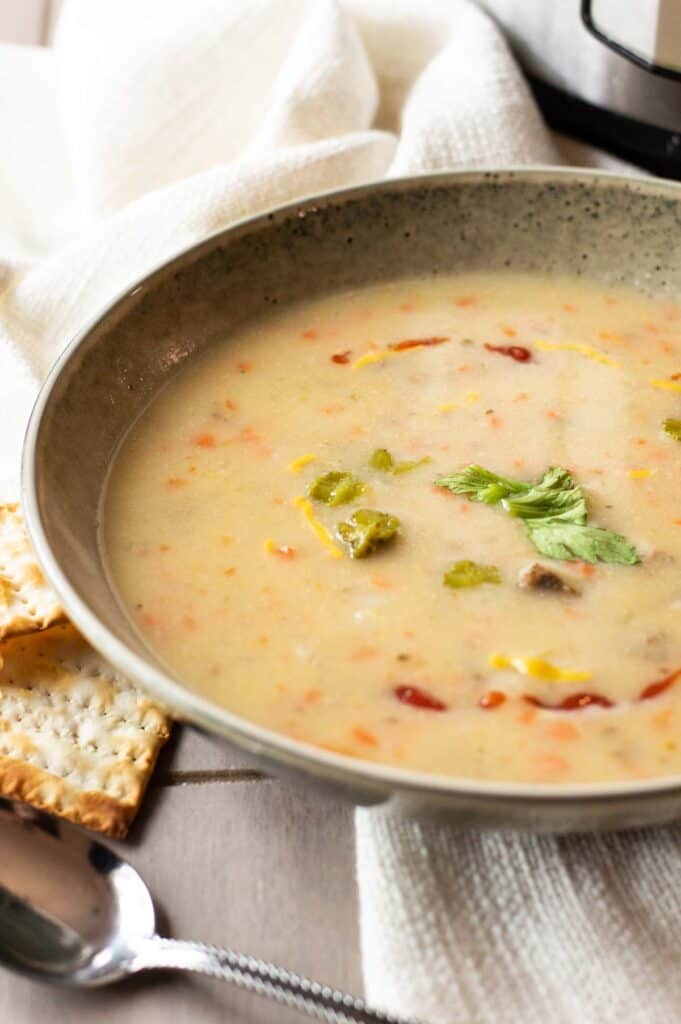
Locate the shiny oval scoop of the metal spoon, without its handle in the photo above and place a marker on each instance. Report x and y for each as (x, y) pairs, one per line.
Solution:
(71, 910)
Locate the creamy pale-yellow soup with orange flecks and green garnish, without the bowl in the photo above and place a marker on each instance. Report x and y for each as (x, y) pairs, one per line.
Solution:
(515, 612)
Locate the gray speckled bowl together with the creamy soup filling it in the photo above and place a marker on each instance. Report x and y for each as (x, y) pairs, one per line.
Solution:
(386, 488)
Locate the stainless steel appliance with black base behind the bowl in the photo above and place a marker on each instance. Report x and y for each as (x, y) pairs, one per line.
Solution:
(605, 71)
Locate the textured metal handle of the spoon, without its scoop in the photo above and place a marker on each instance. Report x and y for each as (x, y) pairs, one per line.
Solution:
(258, 976)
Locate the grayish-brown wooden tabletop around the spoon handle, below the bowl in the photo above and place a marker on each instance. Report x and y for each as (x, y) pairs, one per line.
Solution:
(233, 859)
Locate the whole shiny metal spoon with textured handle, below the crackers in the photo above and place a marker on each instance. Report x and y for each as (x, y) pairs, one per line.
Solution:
(73, 913)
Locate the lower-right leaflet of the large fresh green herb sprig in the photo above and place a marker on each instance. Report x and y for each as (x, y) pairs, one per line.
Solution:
(569, 541)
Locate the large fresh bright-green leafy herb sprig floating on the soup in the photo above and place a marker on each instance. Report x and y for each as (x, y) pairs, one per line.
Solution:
(555, 511)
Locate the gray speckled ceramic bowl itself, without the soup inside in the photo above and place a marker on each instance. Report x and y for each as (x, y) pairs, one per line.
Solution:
(614, 230)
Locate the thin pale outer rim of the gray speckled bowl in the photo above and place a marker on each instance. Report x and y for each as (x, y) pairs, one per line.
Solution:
(193, 709)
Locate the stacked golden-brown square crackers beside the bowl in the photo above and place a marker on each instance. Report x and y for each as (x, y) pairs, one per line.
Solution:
(76, 739)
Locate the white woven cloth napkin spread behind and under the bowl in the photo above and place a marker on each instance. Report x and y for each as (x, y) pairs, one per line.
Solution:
(150, 125)
